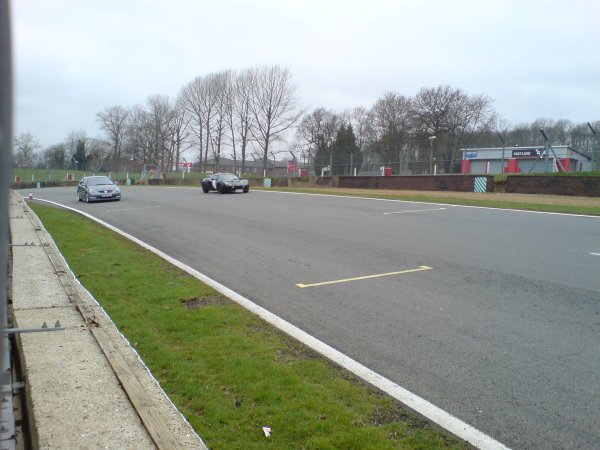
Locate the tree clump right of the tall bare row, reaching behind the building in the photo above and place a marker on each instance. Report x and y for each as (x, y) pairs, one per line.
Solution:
(412, 132)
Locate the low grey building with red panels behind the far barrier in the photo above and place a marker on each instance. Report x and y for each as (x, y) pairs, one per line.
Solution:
(483, 161)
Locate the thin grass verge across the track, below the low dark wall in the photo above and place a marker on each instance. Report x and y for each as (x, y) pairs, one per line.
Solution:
(490, 202)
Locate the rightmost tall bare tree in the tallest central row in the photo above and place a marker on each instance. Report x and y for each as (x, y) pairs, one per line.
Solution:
(273, 106)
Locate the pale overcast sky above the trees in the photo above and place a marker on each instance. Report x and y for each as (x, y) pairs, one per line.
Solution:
(533, 58)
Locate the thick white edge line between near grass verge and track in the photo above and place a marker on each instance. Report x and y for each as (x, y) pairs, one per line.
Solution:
(438, 416)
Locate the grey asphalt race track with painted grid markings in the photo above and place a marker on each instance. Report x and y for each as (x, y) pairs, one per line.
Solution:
(501, 330)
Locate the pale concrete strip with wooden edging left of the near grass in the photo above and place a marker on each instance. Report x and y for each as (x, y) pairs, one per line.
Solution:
(86, 388)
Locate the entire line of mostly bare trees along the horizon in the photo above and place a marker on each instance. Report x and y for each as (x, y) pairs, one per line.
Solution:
(256, 113)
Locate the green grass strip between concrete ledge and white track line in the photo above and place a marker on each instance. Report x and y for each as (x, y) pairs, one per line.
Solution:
(226, 370)
